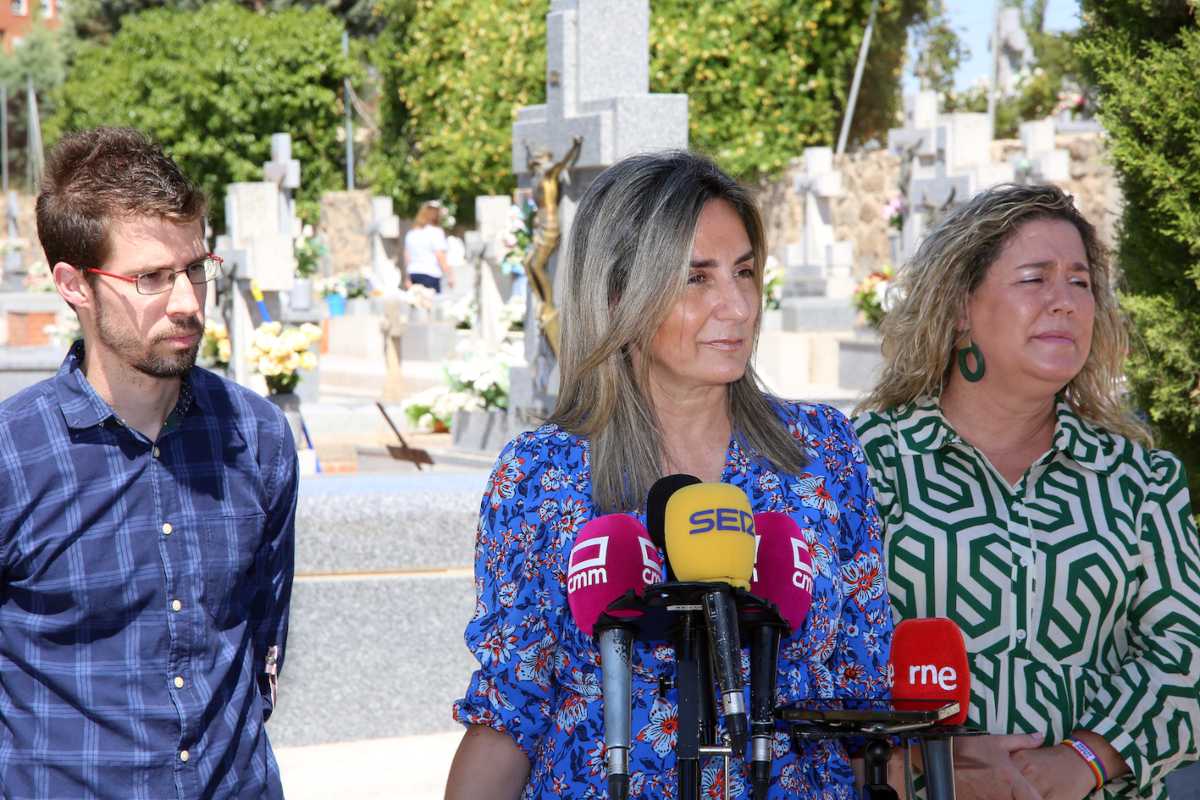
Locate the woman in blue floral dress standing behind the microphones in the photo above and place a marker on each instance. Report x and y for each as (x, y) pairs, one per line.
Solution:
(661, 316)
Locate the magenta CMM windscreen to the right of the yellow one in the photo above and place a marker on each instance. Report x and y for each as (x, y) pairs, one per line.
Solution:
(783, 568)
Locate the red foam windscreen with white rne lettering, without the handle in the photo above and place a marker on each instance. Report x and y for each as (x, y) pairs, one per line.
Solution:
(929, 663)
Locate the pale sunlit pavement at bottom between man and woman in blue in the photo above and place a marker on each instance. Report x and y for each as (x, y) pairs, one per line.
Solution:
(410, 768)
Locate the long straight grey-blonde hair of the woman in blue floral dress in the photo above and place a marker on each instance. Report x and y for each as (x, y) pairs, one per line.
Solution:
(627, 267)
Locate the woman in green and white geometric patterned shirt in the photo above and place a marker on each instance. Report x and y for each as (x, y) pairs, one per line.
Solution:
(1024, 502)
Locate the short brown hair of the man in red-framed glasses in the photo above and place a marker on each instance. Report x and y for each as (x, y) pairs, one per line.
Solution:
(101, 176)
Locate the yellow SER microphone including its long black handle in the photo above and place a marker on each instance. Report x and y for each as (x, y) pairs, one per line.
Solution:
(710, 538)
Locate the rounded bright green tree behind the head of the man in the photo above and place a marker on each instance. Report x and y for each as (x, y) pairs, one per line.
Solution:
(212, 86)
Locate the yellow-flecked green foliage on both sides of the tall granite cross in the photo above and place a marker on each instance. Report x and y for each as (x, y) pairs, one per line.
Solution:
(765, 79)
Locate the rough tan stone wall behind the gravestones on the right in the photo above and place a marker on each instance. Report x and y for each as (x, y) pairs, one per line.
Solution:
(872, 179)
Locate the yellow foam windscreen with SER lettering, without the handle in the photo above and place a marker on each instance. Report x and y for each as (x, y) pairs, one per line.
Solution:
(710, 534)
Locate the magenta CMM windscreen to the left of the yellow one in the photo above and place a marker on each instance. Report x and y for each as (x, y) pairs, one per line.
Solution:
(611, 556)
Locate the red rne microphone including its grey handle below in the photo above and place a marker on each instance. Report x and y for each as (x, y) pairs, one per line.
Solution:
(929, 663)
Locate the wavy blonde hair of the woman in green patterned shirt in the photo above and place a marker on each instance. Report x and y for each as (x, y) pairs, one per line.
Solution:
(920, 333)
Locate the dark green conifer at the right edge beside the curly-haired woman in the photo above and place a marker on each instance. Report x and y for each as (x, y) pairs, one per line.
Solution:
(1144, 57)
